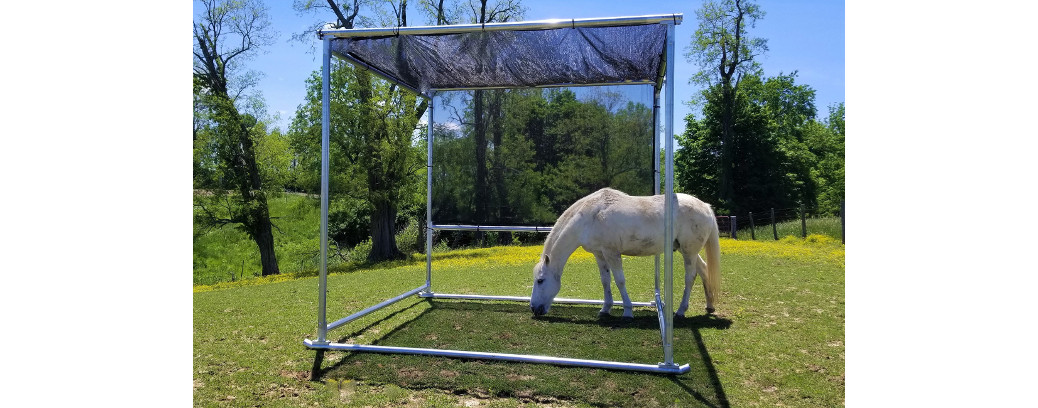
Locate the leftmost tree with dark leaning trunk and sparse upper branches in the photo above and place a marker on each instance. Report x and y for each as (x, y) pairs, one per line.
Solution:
(226, 35)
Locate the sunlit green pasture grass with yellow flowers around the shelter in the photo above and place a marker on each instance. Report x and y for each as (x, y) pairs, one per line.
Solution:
(778, 338)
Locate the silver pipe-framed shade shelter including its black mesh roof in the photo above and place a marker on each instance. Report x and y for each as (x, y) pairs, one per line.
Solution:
(551, 53)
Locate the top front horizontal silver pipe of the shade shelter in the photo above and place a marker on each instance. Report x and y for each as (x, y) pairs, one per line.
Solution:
(511, 26)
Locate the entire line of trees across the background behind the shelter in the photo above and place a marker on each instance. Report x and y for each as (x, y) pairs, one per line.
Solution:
(510, 157)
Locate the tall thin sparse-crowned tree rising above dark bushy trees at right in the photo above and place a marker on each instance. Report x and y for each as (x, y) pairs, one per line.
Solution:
(725, 53)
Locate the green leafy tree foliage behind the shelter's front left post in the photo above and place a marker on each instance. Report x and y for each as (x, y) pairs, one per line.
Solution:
(375, 157)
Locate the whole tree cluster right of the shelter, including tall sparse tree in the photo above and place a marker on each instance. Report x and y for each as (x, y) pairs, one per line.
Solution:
(758, 145)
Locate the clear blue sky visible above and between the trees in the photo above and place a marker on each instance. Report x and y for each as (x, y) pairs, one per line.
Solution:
(804, 36)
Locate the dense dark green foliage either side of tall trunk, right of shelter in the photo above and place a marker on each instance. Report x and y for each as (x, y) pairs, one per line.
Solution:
(783, 157)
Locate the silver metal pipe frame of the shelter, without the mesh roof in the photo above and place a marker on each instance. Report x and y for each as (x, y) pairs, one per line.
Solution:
(665, 314)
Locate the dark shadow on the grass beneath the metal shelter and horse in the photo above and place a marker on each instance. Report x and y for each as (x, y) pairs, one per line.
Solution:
(568, 332)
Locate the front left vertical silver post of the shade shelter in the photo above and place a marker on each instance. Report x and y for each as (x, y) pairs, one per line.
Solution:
(325, 132)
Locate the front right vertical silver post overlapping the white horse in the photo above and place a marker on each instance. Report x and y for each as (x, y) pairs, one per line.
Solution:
(669, 205)
